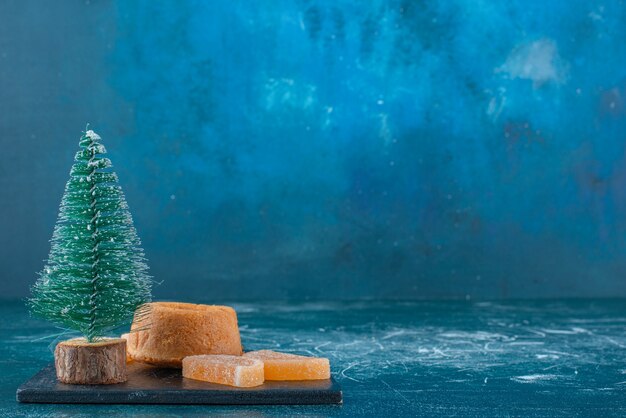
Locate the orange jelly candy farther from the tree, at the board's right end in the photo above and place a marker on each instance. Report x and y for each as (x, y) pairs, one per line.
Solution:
(283, 366)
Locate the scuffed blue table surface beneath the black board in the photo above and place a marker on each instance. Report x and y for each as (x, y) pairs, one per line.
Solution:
(542, 358)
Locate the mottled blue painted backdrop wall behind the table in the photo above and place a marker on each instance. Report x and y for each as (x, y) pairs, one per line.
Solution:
(329, 149)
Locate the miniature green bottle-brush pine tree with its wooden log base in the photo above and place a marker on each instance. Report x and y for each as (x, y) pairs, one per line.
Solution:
(96, 274)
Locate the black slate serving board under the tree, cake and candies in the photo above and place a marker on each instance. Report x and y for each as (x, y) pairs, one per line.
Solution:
(151, 385)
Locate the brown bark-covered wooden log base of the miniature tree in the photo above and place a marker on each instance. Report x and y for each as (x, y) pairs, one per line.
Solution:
(99, 363)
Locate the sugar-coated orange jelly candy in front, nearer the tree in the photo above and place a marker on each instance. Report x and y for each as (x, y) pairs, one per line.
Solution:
(237, 371)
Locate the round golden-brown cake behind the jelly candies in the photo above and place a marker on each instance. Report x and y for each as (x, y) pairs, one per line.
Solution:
(167, 332)
